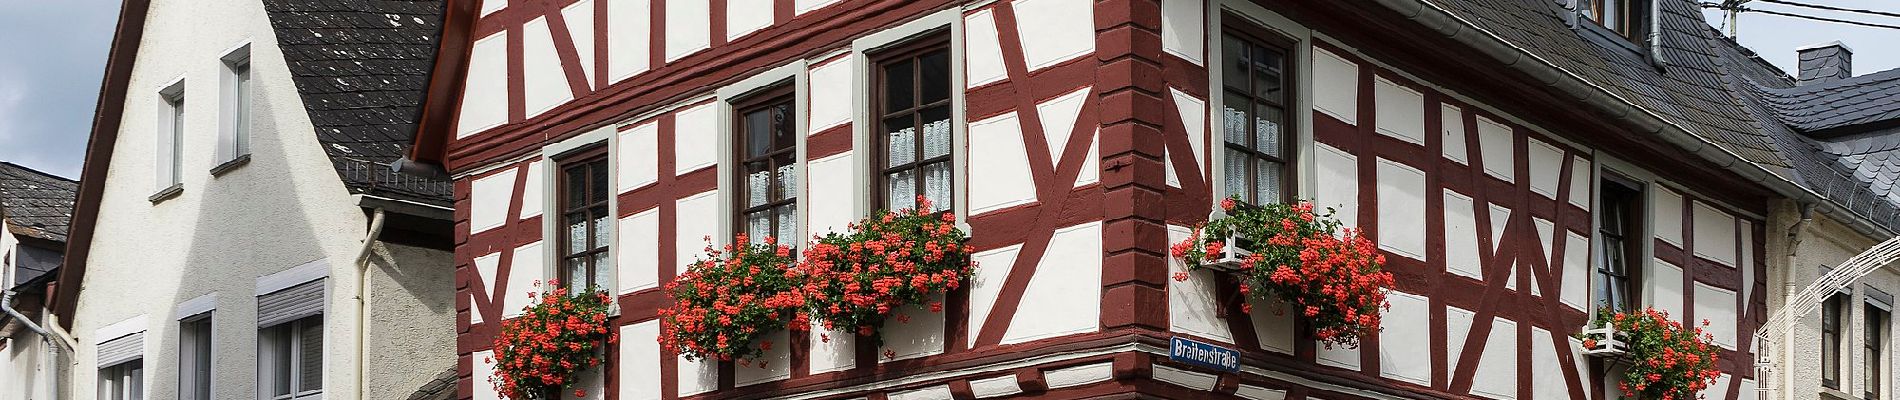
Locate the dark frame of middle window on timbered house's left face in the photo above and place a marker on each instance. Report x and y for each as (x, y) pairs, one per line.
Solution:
(763, 100)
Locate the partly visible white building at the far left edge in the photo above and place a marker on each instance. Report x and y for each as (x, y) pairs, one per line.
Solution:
(35, 211)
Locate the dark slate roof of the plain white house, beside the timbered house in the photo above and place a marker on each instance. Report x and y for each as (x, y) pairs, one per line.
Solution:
(364, 67)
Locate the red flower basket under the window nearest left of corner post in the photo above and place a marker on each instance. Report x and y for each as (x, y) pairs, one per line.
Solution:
(890, 261)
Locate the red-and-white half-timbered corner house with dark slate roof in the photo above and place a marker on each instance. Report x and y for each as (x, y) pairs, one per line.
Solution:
(1523, 164)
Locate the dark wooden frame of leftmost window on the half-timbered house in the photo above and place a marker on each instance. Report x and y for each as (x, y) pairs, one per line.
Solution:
(584, 158)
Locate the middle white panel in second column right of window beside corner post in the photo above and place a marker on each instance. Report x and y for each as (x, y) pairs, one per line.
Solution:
(1401, 209)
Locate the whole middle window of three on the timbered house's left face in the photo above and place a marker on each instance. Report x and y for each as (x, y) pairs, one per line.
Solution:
(769, 189)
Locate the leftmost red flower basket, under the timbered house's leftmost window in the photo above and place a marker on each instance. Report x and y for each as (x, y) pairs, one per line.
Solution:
(558, 336)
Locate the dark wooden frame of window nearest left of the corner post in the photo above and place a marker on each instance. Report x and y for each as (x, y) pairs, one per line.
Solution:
(881, 170)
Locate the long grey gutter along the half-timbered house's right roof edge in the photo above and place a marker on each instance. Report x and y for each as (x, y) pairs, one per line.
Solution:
(1454, 27)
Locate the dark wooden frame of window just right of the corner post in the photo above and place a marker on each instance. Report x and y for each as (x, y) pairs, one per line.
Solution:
(1293, 132)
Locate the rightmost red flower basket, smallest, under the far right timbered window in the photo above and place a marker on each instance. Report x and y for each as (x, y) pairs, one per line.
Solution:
(1663, 357)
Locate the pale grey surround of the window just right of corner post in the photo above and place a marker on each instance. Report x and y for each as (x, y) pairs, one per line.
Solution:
(1301, 107)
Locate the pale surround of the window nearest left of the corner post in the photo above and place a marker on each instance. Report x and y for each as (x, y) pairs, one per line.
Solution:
(864, 122)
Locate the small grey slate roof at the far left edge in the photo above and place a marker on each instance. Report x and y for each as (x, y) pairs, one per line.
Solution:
(37, 204)
